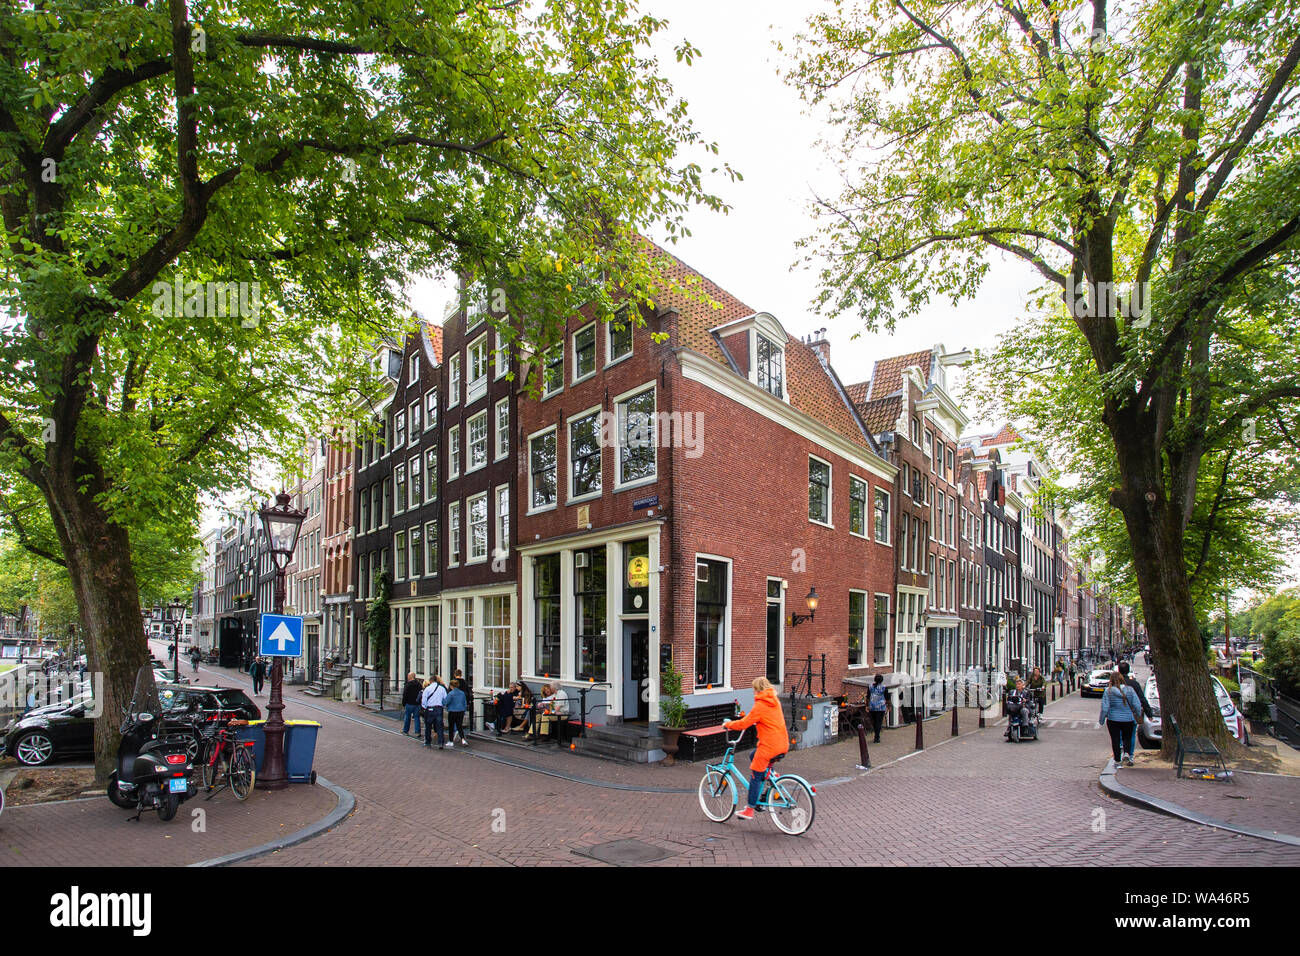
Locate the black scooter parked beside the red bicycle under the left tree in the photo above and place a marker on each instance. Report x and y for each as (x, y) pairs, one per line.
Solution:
(154, 771)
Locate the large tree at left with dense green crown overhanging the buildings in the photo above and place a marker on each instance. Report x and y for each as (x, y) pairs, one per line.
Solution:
(206, 223)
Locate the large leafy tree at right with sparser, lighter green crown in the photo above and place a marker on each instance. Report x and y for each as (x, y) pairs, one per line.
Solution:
(1149, 148)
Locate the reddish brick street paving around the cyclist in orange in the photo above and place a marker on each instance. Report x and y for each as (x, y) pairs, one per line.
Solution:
(1035, 804)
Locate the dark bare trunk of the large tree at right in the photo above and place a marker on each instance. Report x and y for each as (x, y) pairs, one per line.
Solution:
(1156, 534)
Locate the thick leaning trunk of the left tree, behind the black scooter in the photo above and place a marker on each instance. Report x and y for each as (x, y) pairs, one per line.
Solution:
(99, 564)
